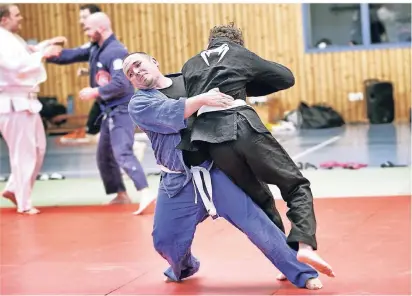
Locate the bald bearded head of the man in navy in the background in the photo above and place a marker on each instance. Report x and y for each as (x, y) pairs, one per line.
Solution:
(98, 27)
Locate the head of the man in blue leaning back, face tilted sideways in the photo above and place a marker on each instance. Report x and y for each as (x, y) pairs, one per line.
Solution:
(143, 72)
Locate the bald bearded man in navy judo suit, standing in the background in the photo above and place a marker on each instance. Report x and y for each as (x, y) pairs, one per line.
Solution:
(110, 87)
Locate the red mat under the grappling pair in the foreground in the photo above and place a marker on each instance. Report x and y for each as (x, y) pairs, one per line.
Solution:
(106, 250)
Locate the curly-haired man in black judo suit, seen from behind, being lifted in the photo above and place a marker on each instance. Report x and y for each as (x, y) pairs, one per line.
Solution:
(240, 144)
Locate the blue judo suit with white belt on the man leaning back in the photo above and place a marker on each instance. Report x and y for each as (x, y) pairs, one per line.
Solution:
(182, 204)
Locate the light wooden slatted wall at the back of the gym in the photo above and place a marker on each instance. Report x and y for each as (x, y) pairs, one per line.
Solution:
(174, 32)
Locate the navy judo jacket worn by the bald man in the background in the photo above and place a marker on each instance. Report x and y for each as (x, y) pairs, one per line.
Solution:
(108, 57)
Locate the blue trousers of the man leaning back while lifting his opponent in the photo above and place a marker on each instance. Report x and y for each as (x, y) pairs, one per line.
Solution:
(176, 220)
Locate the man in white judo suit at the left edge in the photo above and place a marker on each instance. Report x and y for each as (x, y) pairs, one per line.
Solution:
(21, 72)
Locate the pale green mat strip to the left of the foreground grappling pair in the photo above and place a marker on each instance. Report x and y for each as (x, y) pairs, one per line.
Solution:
(72, 192)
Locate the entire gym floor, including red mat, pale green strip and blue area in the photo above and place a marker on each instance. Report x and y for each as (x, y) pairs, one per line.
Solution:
(78, 246)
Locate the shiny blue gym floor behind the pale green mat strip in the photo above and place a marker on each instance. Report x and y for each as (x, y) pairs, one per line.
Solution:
(370, 145)
